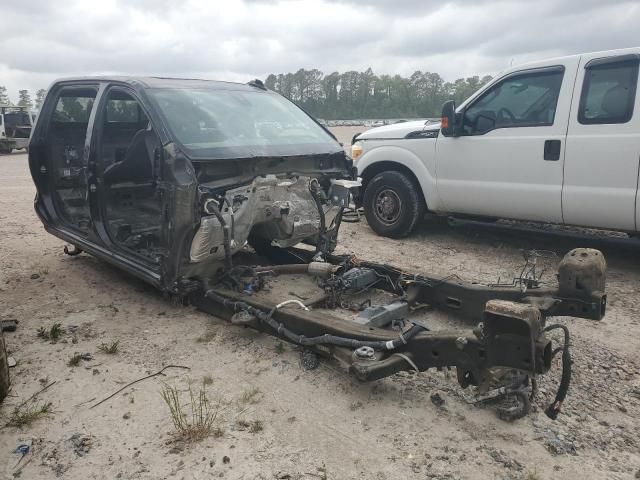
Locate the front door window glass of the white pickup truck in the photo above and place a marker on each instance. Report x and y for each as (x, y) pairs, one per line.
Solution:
(521, 100)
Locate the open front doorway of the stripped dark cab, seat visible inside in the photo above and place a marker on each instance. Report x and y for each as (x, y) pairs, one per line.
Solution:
(127, 154)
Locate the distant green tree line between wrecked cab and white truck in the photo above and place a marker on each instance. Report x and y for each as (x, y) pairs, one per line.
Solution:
(356, 95)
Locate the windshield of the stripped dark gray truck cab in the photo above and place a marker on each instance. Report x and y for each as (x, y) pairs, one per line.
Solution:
(240, 123)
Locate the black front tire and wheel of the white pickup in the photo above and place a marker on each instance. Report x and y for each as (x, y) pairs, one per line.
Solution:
(393, 204)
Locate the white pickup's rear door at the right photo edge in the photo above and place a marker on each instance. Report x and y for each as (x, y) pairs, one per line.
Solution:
(603, 144)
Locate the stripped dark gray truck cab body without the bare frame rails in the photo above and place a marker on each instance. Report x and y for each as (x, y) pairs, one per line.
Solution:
(166, 177)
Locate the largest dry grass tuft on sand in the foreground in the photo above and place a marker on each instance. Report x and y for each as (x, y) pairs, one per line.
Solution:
(200, 423)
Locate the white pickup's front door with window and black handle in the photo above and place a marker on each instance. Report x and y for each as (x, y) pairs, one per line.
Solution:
(508, 160)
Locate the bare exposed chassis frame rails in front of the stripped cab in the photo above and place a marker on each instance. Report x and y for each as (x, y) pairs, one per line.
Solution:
(510, 322)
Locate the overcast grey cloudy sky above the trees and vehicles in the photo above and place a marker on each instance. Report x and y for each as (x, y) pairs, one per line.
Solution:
(242, 39)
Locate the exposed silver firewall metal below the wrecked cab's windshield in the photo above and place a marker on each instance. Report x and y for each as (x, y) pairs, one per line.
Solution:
(272, 209)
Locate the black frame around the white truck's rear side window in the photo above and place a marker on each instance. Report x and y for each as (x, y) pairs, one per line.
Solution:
(604, 63)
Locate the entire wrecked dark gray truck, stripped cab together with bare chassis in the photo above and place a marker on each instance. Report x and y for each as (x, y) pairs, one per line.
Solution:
(171, 179)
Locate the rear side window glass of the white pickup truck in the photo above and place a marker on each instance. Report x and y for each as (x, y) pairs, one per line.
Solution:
(608, 92)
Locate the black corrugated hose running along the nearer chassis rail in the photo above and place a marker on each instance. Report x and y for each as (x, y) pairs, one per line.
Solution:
(327, 339)
